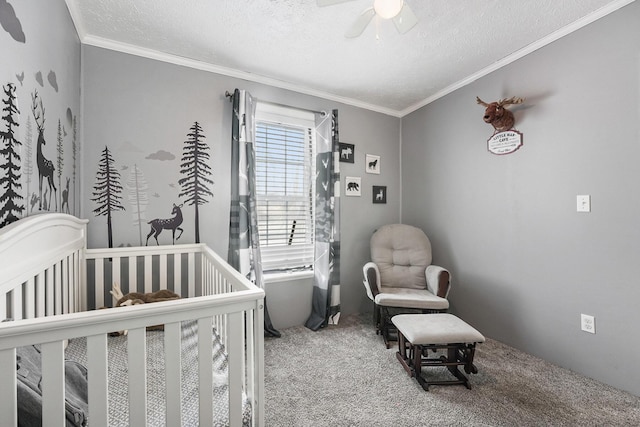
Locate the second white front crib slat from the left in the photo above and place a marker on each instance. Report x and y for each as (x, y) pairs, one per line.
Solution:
(53, 403)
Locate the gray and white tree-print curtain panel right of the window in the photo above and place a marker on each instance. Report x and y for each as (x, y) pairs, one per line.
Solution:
(326, 267)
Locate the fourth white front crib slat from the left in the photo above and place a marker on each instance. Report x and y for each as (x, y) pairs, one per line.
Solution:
(137, 369)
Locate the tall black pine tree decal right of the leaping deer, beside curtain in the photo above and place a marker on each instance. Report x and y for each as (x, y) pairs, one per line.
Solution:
(195, 170)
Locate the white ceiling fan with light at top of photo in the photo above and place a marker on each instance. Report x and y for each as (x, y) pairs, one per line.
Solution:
(396, 10)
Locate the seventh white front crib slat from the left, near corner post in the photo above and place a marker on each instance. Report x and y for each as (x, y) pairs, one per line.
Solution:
(236, 339)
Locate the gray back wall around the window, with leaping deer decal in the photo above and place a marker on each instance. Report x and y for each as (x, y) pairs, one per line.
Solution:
(137, 107)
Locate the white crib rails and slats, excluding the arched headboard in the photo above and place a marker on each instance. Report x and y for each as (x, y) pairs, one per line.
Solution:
(214, 294)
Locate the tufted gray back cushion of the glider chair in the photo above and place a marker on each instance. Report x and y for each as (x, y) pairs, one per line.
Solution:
(402, 253)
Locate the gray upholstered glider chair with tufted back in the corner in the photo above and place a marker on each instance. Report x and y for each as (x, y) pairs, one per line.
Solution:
(400, 277)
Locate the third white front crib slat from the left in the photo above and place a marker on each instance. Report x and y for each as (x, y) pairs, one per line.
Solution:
(97, 377)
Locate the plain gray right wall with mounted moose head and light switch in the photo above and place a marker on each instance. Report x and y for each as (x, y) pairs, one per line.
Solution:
(525, 264)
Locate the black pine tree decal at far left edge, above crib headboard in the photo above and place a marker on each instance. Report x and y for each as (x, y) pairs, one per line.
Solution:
(10, 179)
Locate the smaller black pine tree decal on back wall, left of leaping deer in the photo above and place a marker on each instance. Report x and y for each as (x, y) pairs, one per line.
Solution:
(107, 191)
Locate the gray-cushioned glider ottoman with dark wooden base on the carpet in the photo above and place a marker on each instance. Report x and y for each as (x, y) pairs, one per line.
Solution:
(420, 333)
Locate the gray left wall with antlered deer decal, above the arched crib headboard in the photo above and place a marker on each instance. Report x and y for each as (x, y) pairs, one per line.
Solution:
(41, 53)
